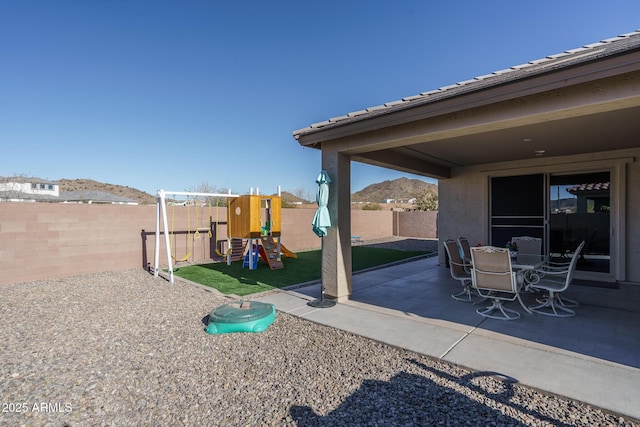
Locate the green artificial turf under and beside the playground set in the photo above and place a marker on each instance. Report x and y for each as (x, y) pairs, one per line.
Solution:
(233, 279)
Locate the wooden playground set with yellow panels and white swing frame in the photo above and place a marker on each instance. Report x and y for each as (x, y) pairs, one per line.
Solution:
(253, 230)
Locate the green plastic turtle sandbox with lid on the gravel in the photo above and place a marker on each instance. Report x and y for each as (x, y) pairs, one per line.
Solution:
(241, 316)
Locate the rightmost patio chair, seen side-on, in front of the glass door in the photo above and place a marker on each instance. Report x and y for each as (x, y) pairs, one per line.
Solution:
(553, 281)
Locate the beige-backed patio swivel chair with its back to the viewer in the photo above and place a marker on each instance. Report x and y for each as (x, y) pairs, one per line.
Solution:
(494, 279)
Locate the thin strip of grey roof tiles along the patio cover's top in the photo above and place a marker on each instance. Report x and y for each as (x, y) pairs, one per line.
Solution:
(586, 53)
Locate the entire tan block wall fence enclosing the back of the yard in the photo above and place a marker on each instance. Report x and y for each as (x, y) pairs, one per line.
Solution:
(51, 240)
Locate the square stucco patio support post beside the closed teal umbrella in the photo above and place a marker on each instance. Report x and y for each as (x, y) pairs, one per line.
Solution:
(336, 254)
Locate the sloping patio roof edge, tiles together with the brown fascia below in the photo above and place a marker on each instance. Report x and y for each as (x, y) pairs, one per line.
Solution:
(572, 67)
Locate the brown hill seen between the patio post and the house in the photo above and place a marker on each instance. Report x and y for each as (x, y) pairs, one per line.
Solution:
(398, 189)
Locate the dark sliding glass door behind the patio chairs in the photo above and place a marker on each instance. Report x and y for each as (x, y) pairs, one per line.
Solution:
(563, 210)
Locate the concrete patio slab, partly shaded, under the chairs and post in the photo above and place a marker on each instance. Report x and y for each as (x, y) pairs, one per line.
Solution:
(593, 357)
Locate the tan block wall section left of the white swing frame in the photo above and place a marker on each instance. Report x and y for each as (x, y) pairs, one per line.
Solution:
(52, 240)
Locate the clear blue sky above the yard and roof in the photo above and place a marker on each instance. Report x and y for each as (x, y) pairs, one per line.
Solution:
(173, 94)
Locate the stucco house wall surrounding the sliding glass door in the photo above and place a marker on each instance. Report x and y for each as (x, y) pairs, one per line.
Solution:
(464, 199)
